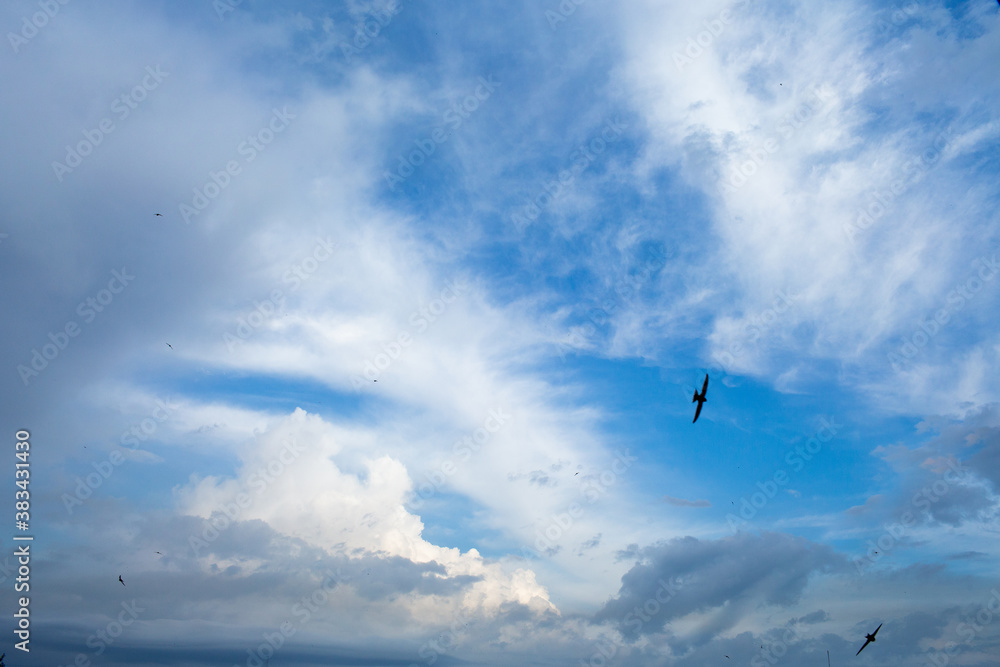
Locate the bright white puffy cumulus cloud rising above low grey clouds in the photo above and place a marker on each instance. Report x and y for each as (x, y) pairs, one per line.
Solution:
(291, 481)
